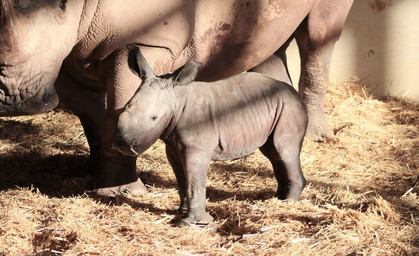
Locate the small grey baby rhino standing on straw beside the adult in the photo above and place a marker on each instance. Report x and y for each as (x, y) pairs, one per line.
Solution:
(200, 122)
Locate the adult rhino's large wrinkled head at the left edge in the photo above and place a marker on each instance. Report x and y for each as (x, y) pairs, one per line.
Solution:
(35, 37)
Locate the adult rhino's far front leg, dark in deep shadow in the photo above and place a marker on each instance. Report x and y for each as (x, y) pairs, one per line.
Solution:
(88, 104)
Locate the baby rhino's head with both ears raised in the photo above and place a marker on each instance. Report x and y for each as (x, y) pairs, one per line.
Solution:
(150, 110)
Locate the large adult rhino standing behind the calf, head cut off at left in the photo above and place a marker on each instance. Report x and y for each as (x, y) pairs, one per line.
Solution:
(75, 51)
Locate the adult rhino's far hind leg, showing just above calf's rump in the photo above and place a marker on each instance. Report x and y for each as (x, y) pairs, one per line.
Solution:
(276, 65)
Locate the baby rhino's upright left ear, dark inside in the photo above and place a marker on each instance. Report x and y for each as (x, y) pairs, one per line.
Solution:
(138, 64)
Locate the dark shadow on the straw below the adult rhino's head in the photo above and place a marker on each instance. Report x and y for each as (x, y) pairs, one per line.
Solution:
(57, 175)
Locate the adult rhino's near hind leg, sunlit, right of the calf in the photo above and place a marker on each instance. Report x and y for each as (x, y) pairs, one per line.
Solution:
(316, 37)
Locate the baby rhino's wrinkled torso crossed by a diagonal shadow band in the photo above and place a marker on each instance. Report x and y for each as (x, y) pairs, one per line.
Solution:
(234, 117)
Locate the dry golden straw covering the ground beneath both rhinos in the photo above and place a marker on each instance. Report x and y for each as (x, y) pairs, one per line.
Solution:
(361, 197)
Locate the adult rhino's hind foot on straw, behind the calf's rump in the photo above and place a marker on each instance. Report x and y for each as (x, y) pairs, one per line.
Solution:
(318, 129)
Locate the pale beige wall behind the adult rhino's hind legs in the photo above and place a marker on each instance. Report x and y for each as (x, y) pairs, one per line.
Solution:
(379, 44)
